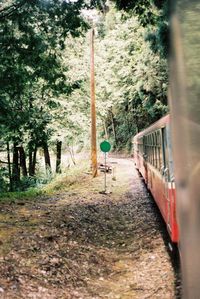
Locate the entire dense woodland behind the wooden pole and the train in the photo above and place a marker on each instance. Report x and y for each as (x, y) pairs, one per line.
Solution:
(45, 76)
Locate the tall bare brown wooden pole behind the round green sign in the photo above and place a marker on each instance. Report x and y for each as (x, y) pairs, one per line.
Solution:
(93, 112)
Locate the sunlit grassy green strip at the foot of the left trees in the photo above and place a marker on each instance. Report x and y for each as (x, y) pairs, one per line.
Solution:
(61, 182)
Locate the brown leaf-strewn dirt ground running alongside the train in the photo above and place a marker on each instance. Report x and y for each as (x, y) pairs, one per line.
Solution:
(82, 244)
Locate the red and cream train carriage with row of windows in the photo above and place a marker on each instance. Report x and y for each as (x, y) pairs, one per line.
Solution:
(153, 159)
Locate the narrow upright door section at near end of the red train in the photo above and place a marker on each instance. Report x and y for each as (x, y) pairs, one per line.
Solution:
(165, 174)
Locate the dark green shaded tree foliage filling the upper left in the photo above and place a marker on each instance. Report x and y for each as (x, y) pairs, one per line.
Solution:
(32, 74)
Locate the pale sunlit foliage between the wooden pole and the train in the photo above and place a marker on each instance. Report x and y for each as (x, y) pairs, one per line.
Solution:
(131, 79)
